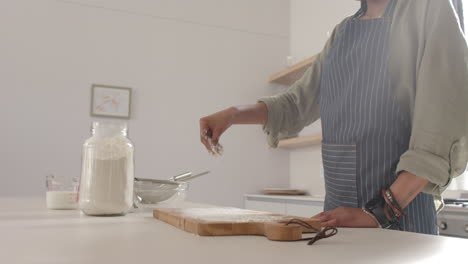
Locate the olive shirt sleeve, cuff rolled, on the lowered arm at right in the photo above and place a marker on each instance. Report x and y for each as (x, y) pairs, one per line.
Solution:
(438, 149)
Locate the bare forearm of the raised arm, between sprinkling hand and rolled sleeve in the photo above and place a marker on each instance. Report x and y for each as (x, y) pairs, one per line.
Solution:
(250, 114)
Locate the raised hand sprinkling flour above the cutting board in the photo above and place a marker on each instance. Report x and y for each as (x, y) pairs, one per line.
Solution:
(214, 125)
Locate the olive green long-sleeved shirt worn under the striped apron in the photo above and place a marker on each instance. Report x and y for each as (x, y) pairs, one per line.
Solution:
(428, 68)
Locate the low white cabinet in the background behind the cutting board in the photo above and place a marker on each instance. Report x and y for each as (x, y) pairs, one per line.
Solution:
(305, 206)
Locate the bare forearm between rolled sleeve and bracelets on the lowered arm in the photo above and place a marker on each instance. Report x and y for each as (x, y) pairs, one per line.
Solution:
(406, 187)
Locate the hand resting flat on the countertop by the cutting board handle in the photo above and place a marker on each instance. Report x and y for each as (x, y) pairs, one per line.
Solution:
(346, 217)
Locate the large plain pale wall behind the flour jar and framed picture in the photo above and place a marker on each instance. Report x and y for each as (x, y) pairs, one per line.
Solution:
(184, 59)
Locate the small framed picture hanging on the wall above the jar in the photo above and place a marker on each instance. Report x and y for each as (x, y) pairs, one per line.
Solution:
(110, 101)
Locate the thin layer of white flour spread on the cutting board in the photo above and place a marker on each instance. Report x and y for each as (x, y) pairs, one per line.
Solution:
(229, 215)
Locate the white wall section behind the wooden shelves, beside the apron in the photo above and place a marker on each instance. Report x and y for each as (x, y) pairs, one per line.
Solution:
(311, 21)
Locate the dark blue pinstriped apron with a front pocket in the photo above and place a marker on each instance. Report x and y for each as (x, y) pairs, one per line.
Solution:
(364, 129)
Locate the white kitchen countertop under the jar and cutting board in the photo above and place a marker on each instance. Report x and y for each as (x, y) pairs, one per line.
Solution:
(29, 233)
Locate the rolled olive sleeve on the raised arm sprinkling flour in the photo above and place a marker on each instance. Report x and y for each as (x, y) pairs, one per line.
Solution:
(290, 112)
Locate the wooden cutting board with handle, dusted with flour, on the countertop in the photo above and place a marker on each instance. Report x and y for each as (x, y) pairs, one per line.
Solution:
(227, 221)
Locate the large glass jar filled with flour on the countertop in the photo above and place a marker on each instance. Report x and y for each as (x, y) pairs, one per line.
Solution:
(107, 171)
